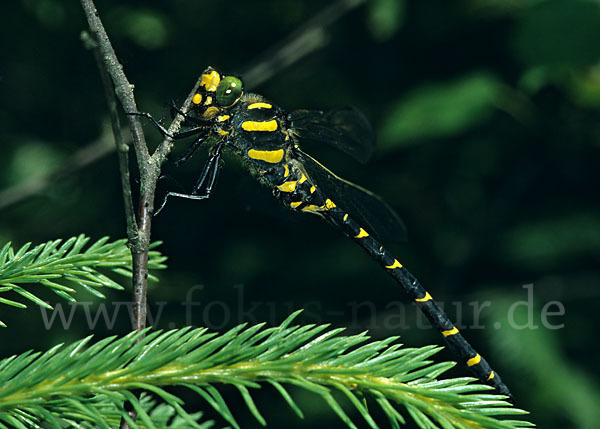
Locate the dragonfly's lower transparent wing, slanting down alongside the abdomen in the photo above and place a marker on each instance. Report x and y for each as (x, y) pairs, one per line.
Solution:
(376, 216)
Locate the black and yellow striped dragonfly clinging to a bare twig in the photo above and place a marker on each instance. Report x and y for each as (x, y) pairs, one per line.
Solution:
(268, 141)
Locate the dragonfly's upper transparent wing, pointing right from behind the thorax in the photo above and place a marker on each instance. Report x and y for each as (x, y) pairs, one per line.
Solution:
(345, 129)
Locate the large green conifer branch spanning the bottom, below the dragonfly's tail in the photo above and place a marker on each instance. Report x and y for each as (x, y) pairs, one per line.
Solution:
(402, 381)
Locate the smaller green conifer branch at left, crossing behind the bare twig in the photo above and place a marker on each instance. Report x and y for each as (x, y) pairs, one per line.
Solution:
(62, 267)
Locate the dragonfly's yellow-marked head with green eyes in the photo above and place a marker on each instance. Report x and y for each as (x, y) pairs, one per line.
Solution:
(216, 94)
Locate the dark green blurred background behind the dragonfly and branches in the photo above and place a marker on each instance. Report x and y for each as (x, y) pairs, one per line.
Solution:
(487, 116)
